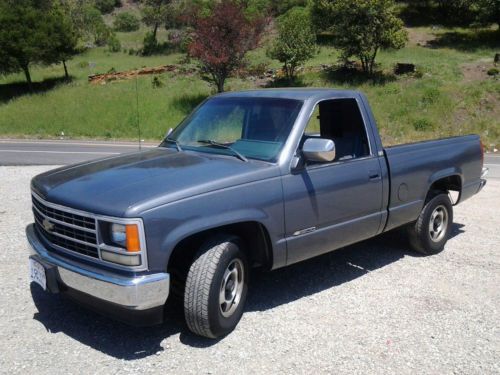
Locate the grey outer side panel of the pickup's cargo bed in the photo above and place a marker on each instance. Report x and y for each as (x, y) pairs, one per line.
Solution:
(414, 167)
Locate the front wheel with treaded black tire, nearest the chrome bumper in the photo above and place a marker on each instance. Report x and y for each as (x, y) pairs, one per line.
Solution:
(202, 308)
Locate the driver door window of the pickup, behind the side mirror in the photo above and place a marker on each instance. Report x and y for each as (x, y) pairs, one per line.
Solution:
(340, 120)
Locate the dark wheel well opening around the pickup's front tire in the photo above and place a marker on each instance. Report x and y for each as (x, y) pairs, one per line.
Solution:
(256, 244)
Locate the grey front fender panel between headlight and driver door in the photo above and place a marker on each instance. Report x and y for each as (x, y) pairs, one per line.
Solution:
(260, 202)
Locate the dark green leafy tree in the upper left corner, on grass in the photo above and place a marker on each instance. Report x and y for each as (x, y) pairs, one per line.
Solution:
(33, 32)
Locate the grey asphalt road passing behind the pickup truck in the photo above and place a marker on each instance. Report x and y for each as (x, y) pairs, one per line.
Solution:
(33, 152)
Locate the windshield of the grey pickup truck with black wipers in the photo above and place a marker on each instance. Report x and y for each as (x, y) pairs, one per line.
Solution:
(253, 127)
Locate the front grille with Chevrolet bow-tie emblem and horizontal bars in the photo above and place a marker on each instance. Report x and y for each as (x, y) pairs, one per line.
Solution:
(68, 230)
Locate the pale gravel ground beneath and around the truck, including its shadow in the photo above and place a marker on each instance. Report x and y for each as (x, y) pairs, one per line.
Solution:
(370, 308)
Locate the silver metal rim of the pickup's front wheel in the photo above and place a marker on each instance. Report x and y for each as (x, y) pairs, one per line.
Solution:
(231, 288)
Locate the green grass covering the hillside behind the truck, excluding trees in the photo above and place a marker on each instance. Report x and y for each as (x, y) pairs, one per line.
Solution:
(438, 102)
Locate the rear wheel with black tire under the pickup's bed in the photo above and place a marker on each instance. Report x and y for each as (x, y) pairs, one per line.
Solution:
(424, 234)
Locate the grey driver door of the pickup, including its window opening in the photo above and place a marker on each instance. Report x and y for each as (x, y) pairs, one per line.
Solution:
(333, 204)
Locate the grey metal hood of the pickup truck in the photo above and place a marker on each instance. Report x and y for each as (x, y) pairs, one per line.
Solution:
(129, 184)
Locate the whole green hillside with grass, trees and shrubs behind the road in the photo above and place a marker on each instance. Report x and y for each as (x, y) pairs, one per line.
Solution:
(429, 71)
